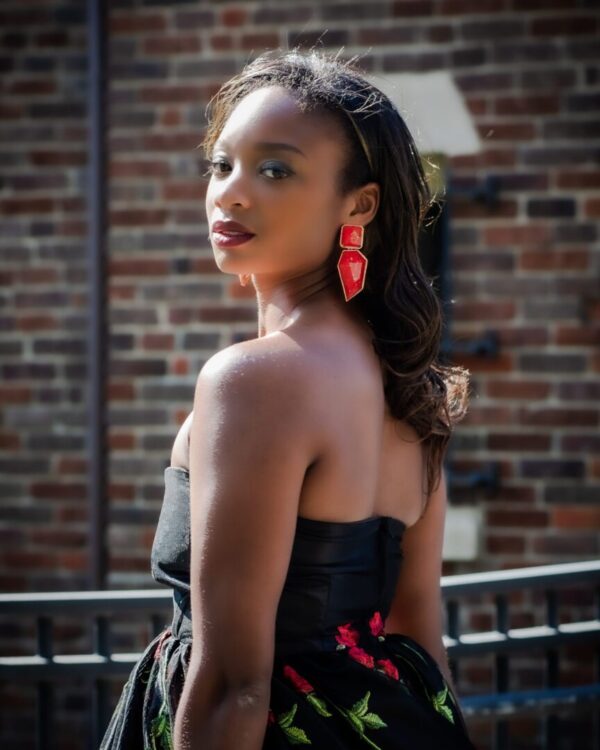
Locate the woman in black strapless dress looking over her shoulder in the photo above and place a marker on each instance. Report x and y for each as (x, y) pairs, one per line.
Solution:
(312, 460)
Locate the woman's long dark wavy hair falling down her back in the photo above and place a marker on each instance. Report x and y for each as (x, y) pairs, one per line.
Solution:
(398, 300)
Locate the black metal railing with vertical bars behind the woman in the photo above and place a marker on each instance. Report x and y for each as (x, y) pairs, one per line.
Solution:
(101, 666)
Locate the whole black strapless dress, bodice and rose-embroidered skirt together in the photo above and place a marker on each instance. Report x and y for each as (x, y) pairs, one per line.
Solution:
(339, 680)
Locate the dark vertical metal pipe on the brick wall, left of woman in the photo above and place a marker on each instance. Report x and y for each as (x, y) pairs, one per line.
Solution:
(96, 208)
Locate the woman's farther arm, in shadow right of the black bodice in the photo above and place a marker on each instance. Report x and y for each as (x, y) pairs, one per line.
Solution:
(417, 606)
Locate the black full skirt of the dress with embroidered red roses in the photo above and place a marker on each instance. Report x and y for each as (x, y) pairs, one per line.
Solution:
(363, 689)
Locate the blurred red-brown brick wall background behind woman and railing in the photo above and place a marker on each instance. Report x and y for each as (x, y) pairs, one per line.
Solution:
(110, 301)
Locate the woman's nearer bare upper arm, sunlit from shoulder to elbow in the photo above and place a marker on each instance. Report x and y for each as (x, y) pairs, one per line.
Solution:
(248, 456)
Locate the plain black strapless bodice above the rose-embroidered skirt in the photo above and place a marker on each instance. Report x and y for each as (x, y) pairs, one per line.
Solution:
(338, 571)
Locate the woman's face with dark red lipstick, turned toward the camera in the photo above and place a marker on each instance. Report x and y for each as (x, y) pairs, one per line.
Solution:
(275, 170)
